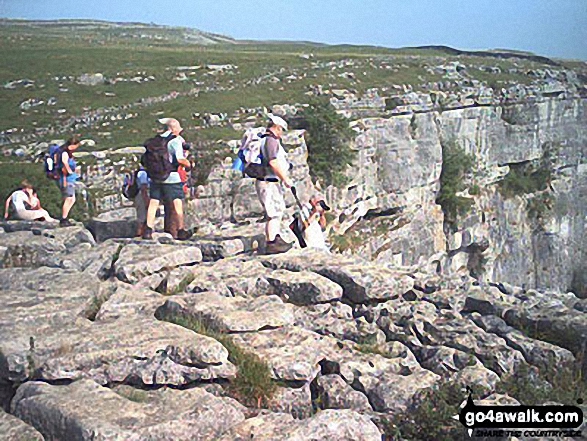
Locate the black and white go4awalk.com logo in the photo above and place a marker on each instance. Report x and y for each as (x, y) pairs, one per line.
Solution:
(518, 421)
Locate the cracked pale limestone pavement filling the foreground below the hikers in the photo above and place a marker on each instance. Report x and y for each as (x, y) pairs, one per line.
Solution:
(133, 330)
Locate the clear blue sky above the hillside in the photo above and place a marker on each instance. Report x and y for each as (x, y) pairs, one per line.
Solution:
(555, 28)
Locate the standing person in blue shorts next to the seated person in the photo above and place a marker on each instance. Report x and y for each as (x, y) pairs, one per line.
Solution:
(67, 177)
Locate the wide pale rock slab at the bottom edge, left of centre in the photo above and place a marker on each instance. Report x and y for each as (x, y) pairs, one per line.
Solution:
(86, 411)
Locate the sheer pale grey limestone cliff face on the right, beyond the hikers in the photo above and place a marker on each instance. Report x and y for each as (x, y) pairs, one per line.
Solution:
(398, 179)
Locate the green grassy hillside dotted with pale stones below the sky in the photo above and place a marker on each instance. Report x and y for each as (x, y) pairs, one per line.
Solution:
(141, 61)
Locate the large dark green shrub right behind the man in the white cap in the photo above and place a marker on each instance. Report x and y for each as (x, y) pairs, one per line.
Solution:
(329, 143)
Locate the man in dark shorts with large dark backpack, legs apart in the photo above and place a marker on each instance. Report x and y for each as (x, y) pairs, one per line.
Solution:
(168, 188)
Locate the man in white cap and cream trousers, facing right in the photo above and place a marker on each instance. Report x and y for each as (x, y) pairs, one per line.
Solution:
(269, 188)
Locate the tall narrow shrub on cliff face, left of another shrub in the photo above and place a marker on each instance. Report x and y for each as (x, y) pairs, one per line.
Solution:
(456, 166)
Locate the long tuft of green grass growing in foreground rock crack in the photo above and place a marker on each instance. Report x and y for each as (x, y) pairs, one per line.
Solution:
(253, 385)
